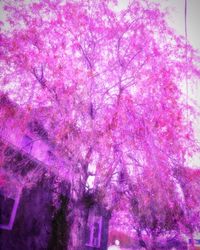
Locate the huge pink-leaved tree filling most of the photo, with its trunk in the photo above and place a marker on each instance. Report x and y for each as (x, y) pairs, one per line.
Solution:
(107, 87)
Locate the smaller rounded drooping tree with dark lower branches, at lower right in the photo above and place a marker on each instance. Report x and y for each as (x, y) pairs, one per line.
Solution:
(157, 207)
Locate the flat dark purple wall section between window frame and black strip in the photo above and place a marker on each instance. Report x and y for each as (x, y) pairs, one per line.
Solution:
(32, 224)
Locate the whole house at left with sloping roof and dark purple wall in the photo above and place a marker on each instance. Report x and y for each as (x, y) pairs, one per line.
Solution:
(29, 183)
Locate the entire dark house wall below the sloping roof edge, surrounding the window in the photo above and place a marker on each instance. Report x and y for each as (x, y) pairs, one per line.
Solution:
(36, 219)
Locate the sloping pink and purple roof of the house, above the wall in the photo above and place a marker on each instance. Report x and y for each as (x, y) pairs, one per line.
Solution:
(23, 130)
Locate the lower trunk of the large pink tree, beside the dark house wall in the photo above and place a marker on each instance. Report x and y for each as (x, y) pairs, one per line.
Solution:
(77, 228)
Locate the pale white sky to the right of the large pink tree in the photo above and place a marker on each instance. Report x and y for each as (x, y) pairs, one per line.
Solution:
(176, 20)
